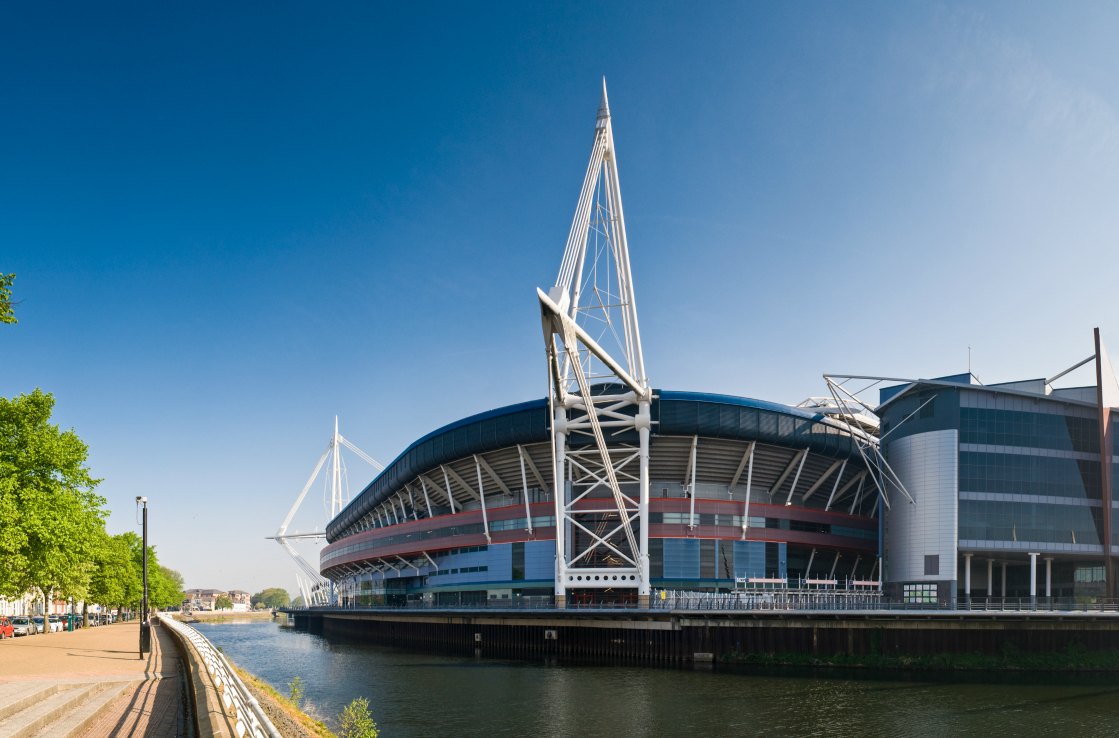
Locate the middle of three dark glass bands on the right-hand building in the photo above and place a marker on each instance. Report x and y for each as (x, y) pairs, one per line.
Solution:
(1021, 475)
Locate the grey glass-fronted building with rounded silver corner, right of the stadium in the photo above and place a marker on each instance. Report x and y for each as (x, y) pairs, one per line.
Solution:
(1017, 488)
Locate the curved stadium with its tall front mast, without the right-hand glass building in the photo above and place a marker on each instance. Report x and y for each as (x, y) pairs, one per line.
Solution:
(609, 491)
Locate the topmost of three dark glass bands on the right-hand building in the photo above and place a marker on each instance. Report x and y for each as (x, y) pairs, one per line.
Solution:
(1030, 430)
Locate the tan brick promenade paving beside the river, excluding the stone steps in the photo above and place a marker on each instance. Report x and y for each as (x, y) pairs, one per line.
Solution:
(153, 706)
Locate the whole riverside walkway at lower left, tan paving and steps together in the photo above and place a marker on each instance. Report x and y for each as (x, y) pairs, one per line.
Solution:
(92, 684)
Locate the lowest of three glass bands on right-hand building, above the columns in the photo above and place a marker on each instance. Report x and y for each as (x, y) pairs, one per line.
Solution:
(1024, 522)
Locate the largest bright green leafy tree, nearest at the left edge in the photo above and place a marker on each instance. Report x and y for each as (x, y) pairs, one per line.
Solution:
(53, 522)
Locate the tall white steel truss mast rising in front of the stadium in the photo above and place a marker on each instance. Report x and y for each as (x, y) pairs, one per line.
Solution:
(598, 386)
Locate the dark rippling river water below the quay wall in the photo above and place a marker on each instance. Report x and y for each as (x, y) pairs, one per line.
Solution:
(420, 695)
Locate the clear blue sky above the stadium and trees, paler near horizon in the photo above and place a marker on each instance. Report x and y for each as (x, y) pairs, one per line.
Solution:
(230, 224)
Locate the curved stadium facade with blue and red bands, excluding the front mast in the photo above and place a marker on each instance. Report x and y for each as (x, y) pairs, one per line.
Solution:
(741, 493)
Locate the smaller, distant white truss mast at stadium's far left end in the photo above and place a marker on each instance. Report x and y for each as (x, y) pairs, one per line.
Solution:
(313, 586)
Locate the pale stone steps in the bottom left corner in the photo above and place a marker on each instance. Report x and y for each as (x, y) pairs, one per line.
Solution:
(59, 709)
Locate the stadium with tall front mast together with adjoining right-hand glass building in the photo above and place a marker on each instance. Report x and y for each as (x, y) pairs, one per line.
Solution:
(612, 493)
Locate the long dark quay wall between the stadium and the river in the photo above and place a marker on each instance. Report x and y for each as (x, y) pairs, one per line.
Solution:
(678, 638)
